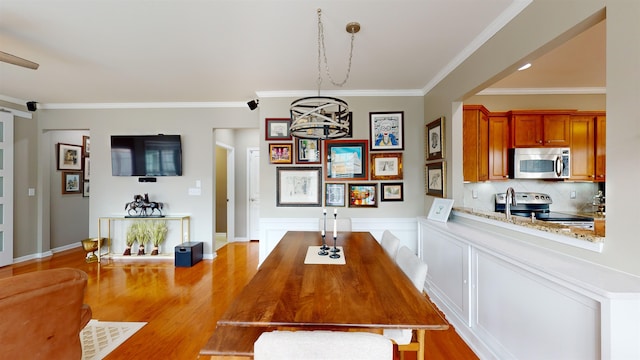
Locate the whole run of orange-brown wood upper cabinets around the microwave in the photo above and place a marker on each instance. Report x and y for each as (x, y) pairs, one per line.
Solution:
(488, 136)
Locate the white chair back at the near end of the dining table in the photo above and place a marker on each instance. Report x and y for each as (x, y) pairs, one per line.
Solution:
(322, 344)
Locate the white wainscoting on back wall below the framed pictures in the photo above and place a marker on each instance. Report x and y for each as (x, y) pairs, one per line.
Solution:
(273, 229)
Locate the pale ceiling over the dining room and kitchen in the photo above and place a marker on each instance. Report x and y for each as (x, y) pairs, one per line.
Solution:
(141, 51)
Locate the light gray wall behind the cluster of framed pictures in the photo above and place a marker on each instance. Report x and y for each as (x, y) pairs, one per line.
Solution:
(413, 158)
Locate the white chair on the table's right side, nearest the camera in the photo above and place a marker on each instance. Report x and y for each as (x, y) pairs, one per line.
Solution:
(416, 271)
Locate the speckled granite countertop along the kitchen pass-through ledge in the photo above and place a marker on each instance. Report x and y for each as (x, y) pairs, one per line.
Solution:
(578, 233)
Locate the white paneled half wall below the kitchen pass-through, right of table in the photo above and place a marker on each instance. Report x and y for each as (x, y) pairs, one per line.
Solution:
(513, 300)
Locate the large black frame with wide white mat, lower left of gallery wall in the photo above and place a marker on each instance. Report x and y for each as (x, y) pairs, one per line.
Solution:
(298, 186)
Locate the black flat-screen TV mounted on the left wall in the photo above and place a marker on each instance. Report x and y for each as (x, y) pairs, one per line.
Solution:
(146, 155)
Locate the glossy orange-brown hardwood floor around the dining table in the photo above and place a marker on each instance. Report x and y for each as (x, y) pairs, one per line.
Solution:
(181, 305)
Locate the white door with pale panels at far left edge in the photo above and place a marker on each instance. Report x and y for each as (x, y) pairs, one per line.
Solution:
(6, 188)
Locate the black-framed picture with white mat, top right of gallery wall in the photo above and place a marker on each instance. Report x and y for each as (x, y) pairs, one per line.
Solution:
(386, 131)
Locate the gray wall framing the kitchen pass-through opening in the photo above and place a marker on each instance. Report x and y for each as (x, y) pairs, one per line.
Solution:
(501, 56)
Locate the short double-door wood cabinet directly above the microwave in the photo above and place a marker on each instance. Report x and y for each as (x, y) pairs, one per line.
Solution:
(540, 128)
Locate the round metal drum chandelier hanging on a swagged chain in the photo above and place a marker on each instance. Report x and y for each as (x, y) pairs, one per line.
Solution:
(323, 117)
